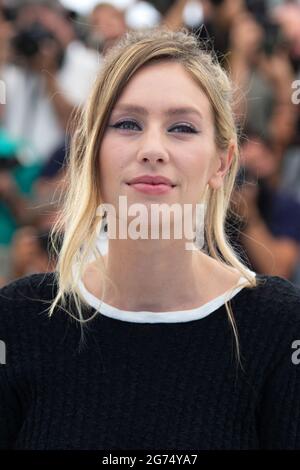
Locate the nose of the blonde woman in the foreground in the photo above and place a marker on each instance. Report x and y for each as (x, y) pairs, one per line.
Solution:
(151, 147)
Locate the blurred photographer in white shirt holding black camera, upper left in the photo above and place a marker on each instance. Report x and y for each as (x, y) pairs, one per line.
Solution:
(51, 74)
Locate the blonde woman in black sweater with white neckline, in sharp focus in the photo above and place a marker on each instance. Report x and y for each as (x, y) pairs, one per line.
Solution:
(156, 367)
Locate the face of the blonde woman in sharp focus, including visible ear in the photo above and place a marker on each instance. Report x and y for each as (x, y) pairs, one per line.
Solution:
(152, 140)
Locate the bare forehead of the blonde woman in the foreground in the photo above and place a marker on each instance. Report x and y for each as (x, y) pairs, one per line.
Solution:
(163, 85)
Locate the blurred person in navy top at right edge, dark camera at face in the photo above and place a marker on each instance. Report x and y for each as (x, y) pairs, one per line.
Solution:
(270, 230)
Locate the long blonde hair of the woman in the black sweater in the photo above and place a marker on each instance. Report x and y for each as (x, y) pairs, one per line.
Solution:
(77, 221)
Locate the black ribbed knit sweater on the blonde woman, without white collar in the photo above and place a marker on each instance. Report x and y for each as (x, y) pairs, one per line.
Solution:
(150, 385)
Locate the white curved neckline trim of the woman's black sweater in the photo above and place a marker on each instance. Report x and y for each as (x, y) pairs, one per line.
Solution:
(178, 316)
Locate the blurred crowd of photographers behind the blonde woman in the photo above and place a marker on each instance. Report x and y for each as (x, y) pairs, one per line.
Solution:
(50, 53)
